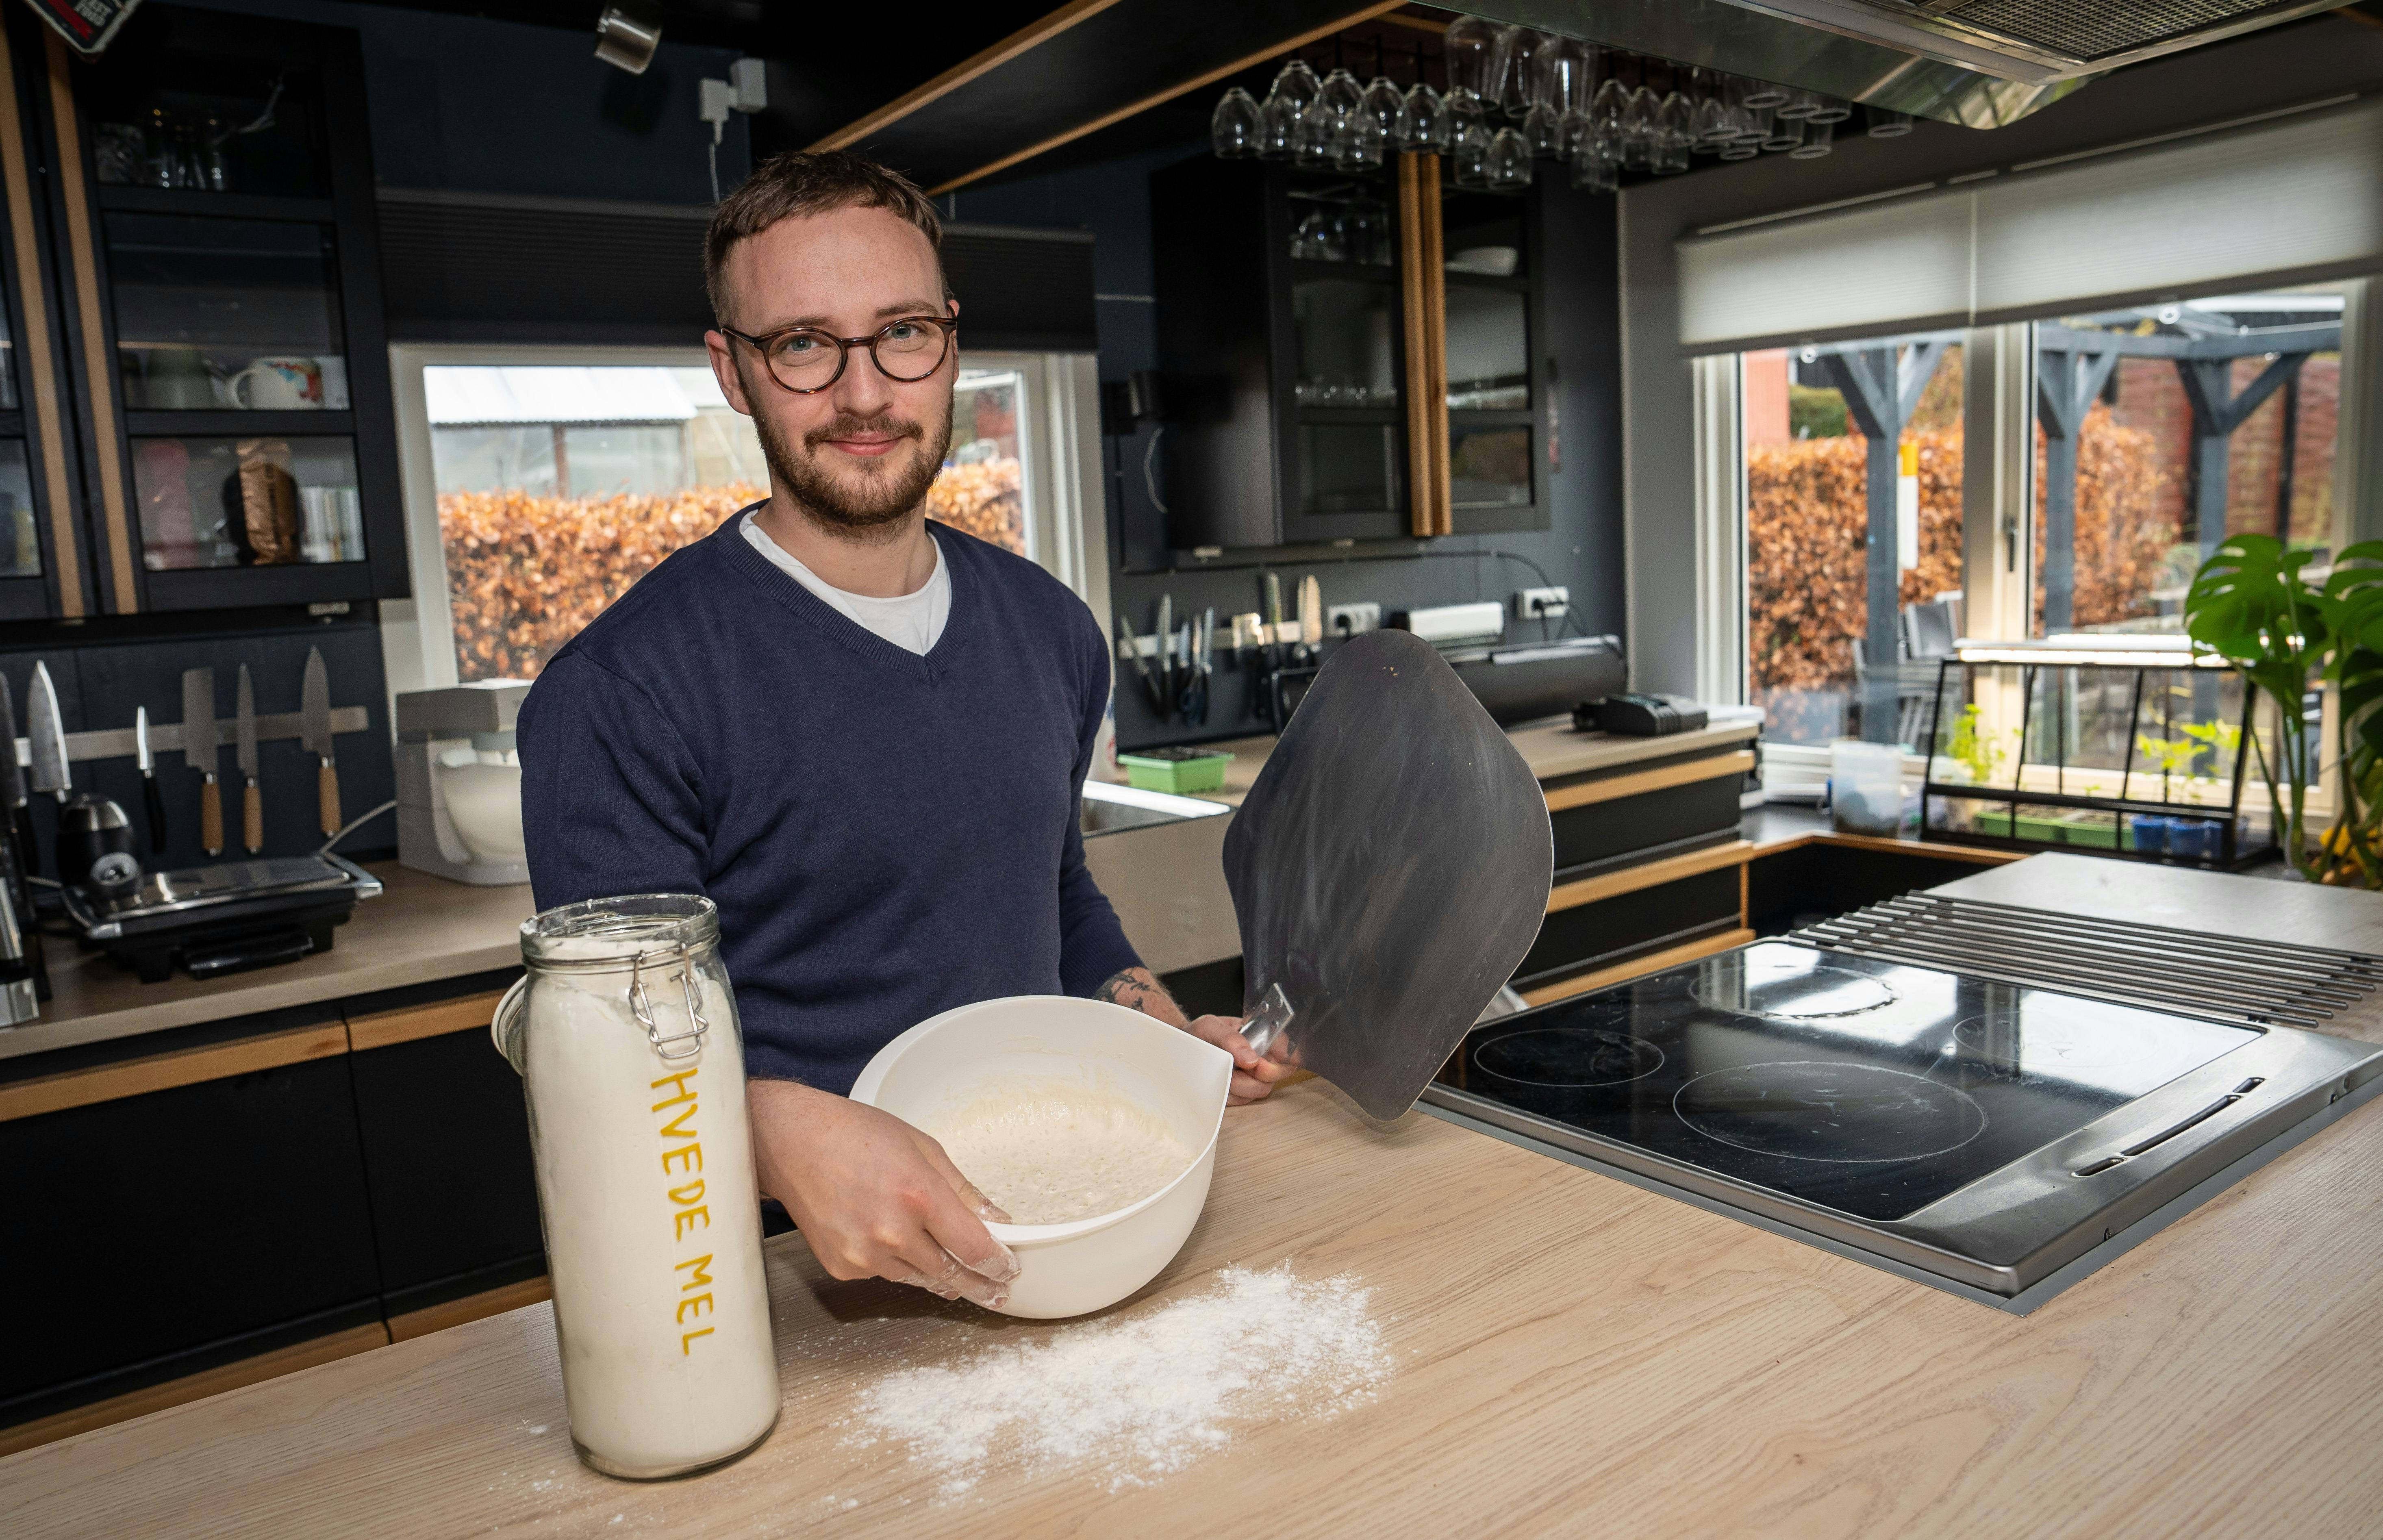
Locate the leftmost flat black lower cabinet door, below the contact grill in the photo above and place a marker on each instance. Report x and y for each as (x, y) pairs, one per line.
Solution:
(158, 1234)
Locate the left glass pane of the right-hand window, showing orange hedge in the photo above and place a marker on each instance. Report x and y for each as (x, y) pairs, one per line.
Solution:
(1819, 664)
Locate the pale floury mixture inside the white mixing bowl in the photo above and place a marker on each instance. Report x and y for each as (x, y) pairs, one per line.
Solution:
(1059, 1153)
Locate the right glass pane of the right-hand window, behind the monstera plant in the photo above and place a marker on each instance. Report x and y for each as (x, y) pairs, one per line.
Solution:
(2167, 428)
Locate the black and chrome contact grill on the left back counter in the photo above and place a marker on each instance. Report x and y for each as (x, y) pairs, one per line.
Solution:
(223, 919)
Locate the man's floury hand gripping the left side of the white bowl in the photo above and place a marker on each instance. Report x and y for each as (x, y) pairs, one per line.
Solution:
(873, 1196)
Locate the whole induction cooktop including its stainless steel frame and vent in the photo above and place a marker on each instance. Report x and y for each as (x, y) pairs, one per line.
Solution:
(1977, 1134)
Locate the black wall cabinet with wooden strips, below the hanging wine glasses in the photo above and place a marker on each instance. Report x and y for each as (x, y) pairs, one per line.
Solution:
(1345, 356)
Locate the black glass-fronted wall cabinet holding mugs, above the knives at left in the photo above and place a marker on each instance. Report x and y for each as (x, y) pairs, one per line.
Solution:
(209, 254)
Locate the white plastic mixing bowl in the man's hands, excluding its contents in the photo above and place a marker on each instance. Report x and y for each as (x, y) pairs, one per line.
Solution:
(952, 1060)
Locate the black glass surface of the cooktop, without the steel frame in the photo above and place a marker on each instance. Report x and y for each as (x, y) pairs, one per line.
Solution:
(1860, 1086)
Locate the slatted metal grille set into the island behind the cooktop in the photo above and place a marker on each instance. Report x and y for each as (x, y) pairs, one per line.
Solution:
(2148, 967)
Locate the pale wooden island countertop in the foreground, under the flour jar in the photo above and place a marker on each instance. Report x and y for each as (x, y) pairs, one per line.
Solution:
(1574, 1355)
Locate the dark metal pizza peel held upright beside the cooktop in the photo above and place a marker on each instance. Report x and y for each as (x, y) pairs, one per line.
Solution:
(1390, 869)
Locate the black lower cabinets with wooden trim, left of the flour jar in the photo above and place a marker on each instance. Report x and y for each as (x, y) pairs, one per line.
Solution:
(318, 1179)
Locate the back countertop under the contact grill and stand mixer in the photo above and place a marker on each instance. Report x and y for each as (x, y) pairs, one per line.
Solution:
(418, 931)
